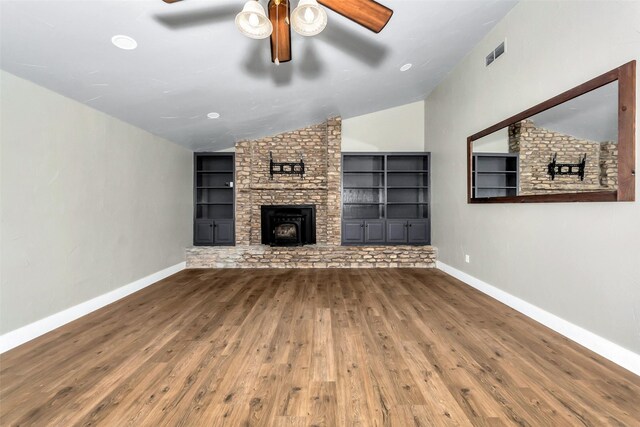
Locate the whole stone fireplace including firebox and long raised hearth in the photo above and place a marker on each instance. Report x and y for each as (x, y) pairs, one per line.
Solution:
(274, 215)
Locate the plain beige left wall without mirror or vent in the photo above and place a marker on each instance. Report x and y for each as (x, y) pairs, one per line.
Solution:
(88, 203)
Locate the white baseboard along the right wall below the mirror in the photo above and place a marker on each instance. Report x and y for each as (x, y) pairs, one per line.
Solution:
(605, 348)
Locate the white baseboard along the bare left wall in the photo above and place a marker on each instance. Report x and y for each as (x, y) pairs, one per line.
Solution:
(33, 330)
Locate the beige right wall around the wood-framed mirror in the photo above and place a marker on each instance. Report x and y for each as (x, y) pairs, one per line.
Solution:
(577, 261)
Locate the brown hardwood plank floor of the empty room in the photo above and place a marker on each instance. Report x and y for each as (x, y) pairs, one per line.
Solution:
(311, 347)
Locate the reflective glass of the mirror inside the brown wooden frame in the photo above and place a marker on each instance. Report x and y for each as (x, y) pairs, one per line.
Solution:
(587, 124)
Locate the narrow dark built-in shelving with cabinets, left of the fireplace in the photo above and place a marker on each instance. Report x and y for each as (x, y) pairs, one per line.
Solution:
(214, 199)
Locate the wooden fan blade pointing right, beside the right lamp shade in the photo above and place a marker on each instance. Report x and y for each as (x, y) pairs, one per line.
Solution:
(368, 13)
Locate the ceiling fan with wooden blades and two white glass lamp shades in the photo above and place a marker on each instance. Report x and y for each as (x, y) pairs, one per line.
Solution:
(307, 19)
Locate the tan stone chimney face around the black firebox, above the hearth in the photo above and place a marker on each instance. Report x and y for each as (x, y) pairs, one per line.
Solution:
(320, 186)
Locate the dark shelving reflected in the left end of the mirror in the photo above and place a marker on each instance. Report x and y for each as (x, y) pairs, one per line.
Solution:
(495, 175)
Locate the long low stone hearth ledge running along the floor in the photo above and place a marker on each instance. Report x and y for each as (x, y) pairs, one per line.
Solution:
(312, 256)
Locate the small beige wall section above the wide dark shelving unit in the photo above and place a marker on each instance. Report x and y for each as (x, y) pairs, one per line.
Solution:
(396, 129)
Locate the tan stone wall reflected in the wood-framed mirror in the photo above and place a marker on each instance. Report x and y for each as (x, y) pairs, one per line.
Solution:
(536, 146)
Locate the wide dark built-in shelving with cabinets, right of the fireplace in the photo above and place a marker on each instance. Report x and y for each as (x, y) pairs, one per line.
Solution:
(385, 198)
